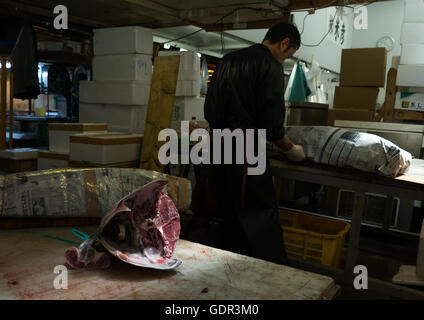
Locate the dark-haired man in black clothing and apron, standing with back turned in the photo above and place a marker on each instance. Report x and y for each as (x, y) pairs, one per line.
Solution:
(247, 91)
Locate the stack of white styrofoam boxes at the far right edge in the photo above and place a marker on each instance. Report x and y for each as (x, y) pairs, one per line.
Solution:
(411, 68)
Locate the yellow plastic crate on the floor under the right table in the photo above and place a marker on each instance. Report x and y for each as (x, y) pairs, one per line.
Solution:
(313, 238)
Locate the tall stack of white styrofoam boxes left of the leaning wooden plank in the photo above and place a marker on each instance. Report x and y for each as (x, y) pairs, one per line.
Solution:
(122, 73)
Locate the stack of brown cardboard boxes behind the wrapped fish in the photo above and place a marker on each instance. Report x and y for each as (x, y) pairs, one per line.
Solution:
(362, 73)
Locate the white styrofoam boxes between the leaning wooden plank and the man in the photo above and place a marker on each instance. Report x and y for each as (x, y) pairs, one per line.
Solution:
(188, 104)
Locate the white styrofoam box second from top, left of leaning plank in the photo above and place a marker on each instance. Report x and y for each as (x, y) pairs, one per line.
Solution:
(123, 67)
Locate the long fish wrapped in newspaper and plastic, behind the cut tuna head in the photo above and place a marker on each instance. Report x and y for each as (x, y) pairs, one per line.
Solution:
(80, 192)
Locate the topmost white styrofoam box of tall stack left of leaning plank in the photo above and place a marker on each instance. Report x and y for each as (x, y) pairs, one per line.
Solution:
(123, 40)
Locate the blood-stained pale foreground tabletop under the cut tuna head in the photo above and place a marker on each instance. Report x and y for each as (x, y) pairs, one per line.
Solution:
(27, 262)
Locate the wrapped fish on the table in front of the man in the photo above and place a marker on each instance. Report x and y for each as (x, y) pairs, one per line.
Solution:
(351, 149)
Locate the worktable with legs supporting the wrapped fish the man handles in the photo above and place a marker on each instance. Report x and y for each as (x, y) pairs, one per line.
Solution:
(409, 186)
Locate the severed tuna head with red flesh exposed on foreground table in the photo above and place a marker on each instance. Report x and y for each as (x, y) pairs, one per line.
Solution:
(143, 229)
